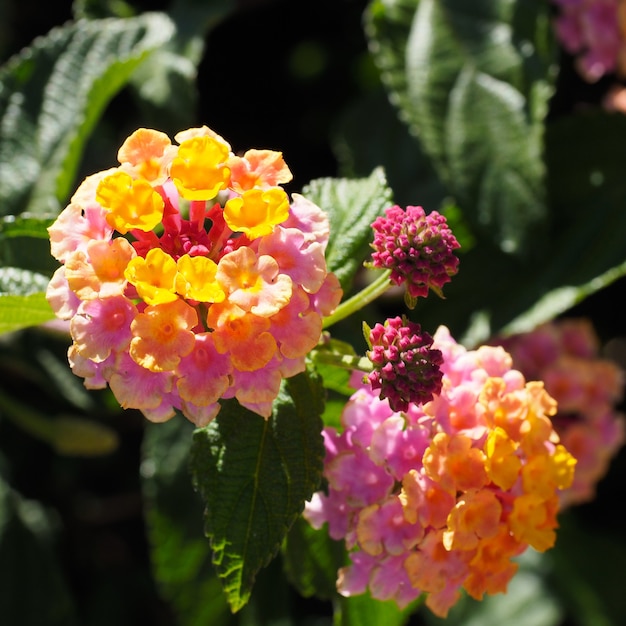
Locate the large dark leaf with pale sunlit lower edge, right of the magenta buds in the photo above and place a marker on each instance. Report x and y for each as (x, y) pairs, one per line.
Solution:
(586, 191)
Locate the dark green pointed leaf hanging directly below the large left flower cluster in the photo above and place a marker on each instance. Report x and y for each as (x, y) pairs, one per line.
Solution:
(254, 476)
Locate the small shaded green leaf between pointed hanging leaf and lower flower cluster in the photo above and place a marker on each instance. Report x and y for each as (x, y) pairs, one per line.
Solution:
(311, 560)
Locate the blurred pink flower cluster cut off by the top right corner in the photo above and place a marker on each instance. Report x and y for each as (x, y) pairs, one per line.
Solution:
(593, 31)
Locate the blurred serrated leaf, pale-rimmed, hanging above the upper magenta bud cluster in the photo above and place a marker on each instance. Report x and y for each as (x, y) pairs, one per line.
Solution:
(502, 182)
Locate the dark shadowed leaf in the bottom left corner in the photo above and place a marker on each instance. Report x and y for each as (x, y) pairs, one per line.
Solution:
(34, 592)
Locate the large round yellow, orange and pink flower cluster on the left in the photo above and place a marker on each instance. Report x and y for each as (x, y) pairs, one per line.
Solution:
(188, 275)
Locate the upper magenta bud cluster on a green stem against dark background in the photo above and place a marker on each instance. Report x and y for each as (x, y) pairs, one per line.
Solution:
(417, 248)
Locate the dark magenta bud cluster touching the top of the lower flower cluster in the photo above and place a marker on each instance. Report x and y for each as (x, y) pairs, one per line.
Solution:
(406, 368)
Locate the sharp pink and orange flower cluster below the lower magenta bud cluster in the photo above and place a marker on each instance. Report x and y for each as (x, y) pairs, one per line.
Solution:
(442, 496)
